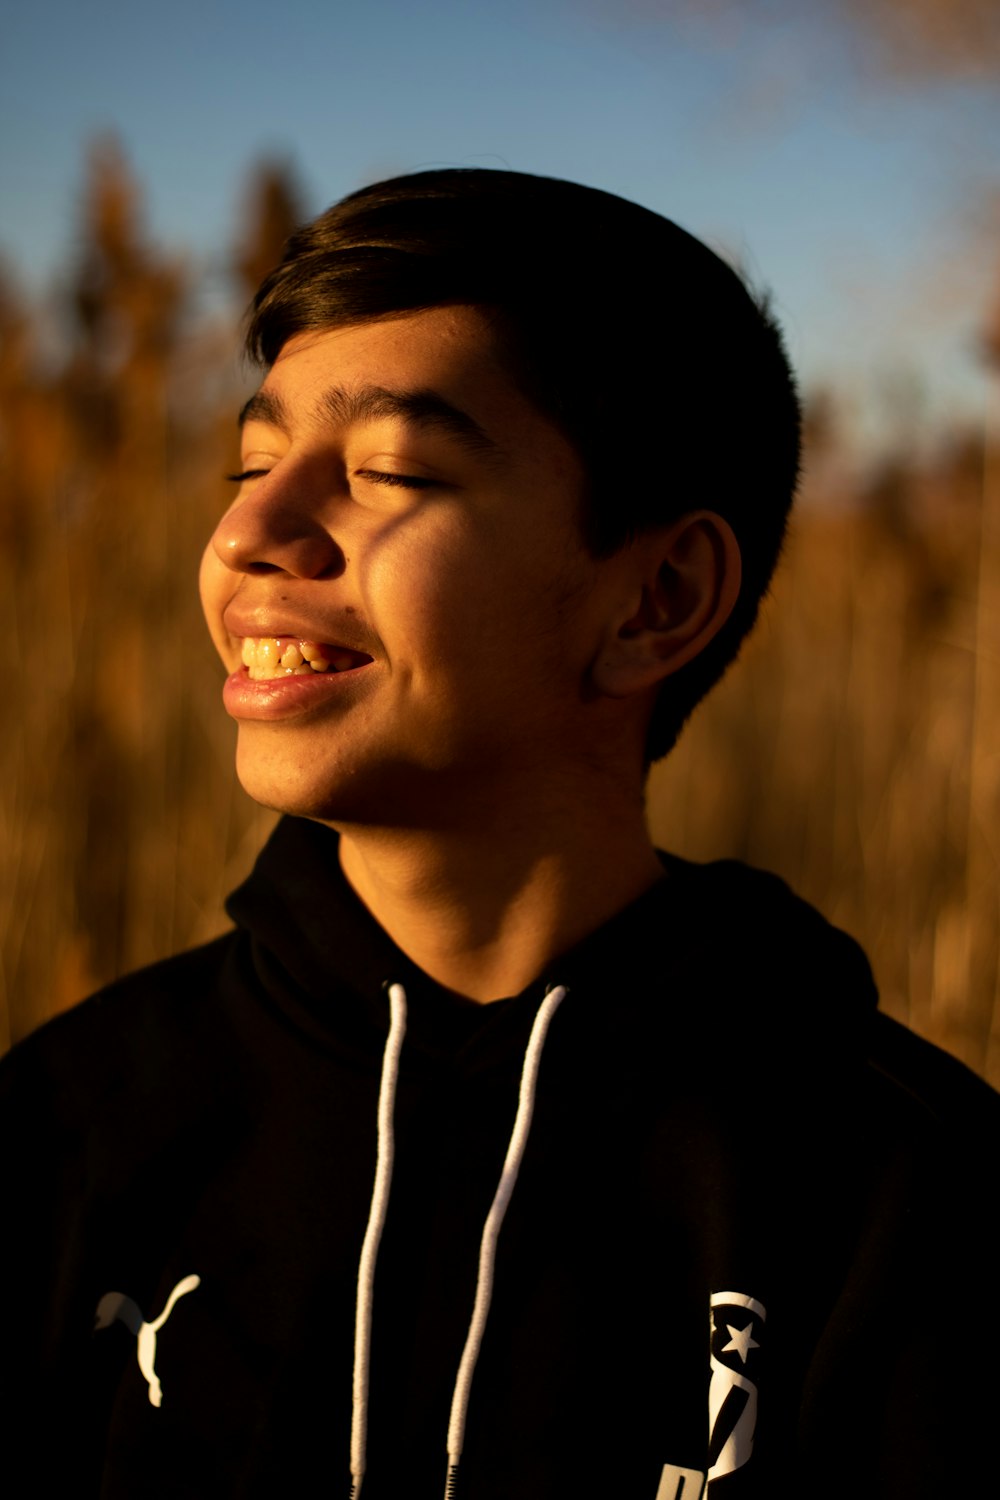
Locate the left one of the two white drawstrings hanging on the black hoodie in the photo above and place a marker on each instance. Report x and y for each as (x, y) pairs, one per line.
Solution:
(374, 1234)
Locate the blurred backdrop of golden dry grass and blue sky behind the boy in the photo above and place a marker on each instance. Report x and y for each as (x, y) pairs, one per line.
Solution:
(152, 163)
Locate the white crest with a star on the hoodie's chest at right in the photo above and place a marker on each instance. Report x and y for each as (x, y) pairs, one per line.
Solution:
(732, 1397)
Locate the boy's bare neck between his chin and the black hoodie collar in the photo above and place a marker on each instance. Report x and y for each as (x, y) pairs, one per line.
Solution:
(485, 910)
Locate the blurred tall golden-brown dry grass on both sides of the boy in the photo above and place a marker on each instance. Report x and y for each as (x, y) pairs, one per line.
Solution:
(854, 749)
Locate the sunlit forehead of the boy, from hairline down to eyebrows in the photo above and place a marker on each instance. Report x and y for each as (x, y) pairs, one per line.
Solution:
(436, 371)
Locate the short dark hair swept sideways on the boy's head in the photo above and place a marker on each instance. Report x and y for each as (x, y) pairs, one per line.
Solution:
(648, 352)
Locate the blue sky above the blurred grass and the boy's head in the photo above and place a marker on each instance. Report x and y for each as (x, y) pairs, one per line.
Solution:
(863, 199)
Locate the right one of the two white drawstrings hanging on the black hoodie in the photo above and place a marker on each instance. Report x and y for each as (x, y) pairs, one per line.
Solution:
(491, 1232)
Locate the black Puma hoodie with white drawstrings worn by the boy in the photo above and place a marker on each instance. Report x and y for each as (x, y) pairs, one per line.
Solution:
(747, 1238)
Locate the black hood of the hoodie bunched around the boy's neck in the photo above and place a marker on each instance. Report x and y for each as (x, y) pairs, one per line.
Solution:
(708, 946)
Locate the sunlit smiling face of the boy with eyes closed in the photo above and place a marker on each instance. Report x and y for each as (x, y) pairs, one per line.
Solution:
(404, 569)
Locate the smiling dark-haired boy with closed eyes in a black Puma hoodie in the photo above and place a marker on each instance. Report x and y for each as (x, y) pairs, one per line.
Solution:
(496, 1154)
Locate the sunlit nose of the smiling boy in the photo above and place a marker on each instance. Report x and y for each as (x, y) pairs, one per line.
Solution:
(277, 527)
